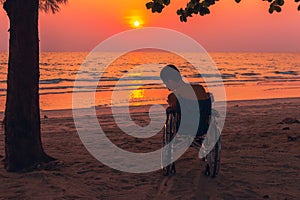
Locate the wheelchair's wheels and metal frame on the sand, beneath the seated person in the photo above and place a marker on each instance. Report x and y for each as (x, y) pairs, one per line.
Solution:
(212, 157)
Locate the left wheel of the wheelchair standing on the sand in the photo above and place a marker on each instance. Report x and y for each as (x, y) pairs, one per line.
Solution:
(169, 132)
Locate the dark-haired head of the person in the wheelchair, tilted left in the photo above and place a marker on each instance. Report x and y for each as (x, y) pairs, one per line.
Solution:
(171, 76)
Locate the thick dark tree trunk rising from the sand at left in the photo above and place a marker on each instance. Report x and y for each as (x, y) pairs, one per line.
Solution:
(23, 147)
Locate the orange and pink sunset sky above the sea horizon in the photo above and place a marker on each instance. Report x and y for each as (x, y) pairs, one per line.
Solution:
(247, 26)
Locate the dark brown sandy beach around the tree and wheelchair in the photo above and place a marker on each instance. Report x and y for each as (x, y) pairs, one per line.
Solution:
(260, 160)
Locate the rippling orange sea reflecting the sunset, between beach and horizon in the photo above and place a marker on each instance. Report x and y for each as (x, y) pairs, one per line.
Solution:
(133, 78)
